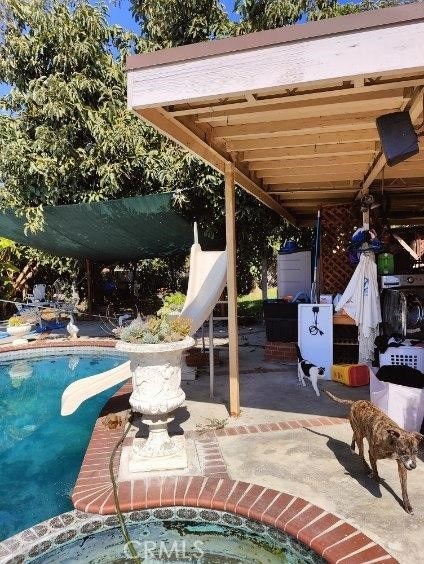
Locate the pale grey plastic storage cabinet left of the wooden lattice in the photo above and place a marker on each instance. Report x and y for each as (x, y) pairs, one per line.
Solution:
(294, 273)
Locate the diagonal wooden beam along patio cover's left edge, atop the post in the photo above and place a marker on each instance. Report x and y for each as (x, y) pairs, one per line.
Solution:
(175, 130)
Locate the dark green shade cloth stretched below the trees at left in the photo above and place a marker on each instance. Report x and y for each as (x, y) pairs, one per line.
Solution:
(117, 230)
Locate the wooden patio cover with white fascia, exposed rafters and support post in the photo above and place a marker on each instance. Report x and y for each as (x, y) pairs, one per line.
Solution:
(289, 115)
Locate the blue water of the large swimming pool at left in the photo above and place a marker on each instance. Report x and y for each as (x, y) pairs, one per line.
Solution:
(41, 451)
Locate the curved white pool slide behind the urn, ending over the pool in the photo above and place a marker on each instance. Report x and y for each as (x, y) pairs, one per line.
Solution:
(207, 280)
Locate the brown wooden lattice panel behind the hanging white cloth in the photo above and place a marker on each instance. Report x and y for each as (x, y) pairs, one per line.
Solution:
(337, 225)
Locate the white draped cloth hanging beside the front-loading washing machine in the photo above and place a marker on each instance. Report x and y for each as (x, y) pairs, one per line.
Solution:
(361, 301)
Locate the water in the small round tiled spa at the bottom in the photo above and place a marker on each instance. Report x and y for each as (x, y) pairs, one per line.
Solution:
(214, 538)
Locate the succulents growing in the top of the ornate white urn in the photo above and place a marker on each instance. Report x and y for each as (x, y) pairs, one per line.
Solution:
(153, 330)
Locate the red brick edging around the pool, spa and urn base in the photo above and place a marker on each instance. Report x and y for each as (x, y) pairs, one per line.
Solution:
(328, 535)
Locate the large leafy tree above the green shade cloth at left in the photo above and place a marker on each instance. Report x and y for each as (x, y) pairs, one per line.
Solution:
(66, 135)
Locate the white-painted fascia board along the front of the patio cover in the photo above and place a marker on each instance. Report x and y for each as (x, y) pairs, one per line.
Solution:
(392, 50)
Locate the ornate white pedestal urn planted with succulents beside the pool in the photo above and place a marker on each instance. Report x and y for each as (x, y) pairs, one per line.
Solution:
(155, 346)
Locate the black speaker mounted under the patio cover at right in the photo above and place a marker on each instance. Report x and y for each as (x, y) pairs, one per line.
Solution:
(398, 137)
